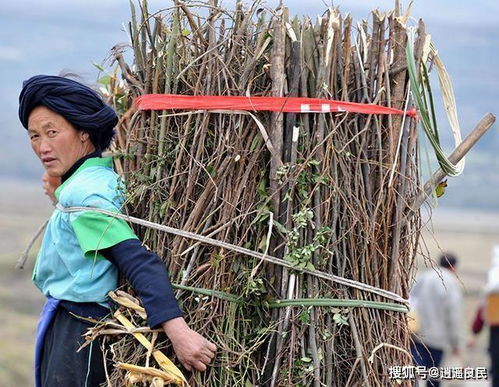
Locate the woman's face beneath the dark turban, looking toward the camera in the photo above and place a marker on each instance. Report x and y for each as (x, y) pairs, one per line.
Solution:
(55, 141)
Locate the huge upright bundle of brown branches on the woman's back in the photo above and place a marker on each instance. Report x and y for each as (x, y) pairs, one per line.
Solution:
(320, 200)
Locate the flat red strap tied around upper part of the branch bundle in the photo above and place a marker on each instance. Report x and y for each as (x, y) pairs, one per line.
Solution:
(273, 104)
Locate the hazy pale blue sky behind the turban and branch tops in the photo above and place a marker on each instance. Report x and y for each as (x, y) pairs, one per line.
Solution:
(47, 36)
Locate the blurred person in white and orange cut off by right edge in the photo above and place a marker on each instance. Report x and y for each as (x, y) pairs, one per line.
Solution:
(488, 313)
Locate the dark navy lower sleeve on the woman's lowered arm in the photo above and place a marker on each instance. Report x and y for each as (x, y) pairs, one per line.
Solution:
(148, 276)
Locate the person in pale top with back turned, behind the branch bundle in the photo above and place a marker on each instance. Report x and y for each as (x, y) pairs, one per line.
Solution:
(436, 298)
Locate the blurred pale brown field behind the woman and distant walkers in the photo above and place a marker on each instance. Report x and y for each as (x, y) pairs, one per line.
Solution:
(23, 207)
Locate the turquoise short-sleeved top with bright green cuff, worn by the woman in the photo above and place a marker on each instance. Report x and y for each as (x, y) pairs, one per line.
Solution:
(69, 265)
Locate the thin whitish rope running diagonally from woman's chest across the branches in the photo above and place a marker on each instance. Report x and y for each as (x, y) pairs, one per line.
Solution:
(242, 250)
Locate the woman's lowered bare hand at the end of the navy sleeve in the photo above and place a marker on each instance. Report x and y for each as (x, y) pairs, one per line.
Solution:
(192, 349)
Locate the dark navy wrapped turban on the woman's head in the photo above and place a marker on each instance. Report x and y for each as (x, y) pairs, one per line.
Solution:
(77, 103)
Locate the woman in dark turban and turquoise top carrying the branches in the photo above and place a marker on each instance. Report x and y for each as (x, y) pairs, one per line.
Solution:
(69, 126)
